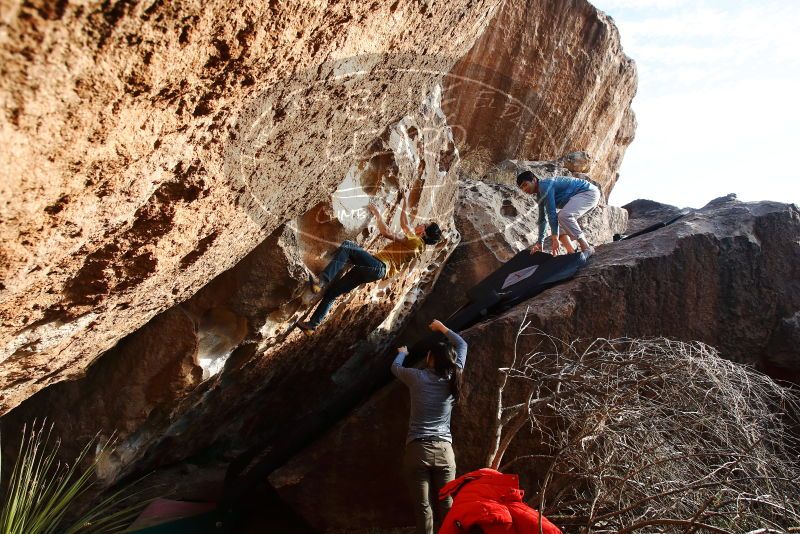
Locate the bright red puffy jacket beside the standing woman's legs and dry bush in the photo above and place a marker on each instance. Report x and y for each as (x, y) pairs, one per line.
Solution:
(493, 501)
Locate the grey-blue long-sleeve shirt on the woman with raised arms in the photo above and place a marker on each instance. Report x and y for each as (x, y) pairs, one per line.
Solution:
(431, 400)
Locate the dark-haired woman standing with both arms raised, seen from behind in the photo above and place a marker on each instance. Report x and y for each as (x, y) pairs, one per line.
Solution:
(429, 462)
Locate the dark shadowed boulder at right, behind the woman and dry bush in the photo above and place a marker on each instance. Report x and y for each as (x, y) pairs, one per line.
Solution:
(727, 274)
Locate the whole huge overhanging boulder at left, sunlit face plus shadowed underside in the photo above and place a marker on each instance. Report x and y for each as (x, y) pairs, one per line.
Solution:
(173, 170)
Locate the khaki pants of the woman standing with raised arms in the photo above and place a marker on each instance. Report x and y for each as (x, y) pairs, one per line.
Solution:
(429, 465)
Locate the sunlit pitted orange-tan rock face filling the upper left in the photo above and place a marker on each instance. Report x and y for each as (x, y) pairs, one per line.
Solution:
(150, 146)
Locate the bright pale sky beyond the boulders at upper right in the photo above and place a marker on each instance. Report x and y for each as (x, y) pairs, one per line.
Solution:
(718, 100)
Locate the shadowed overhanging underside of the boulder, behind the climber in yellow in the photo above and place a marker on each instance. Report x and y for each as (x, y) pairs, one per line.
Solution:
(222, 367)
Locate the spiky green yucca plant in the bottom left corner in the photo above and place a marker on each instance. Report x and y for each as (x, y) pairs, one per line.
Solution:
(43, 492)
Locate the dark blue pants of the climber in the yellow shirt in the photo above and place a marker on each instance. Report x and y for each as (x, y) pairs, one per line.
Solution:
(366, 268)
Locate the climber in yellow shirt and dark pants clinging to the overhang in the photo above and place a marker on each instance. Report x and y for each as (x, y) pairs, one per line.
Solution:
(367, 268)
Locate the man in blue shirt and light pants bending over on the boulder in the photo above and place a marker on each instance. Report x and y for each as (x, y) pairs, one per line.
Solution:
(574, 196)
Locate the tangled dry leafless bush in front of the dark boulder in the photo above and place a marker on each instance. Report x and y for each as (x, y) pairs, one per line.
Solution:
(654, 436)
